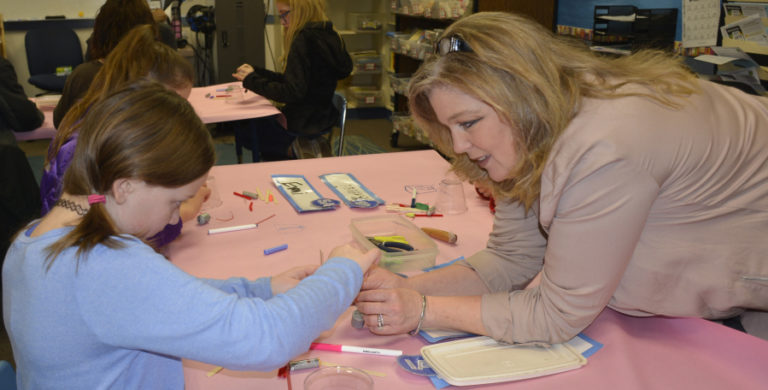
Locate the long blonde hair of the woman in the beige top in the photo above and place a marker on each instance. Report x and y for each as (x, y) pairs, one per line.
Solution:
(534, 80)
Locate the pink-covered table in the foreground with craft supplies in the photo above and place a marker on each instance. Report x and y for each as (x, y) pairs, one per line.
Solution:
(638, 353)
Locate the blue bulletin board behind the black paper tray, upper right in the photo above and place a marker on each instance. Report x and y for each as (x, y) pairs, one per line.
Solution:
(580, 13)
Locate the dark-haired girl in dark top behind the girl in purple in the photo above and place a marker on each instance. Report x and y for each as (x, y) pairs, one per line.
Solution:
(114, 19)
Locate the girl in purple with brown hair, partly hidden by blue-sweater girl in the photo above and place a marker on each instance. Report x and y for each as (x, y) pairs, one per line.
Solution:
(139, 55)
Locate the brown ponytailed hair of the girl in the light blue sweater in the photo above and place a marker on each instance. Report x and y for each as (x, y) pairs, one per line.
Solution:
(145, 132)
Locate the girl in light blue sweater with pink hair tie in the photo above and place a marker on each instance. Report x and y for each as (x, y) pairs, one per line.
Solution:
(90, 306)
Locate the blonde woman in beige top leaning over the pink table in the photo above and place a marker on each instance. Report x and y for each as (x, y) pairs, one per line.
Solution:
(624, 183)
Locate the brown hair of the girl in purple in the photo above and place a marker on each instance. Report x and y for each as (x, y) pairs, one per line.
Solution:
(138, 55)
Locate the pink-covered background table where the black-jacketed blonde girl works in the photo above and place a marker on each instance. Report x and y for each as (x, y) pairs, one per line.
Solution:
(209, 111)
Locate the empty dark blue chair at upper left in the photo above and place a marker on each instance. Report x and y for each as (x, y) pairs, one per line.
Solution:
(50, 48)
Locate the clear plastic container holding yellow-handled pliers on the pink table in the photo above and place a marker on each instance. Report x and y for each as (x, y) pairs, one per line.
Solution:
(425, 249)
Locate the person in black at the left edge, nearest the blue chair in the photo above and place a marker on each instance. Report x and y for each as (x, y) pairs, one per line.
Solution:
(17, 112)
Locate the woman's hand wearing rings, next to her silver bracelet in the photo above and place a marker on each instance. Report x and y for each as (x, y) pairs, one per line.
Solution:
(399, 309)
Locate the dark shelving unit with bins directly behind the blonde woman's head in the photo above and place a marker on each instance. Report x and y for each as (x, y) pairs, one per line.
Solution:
(416, 27)
